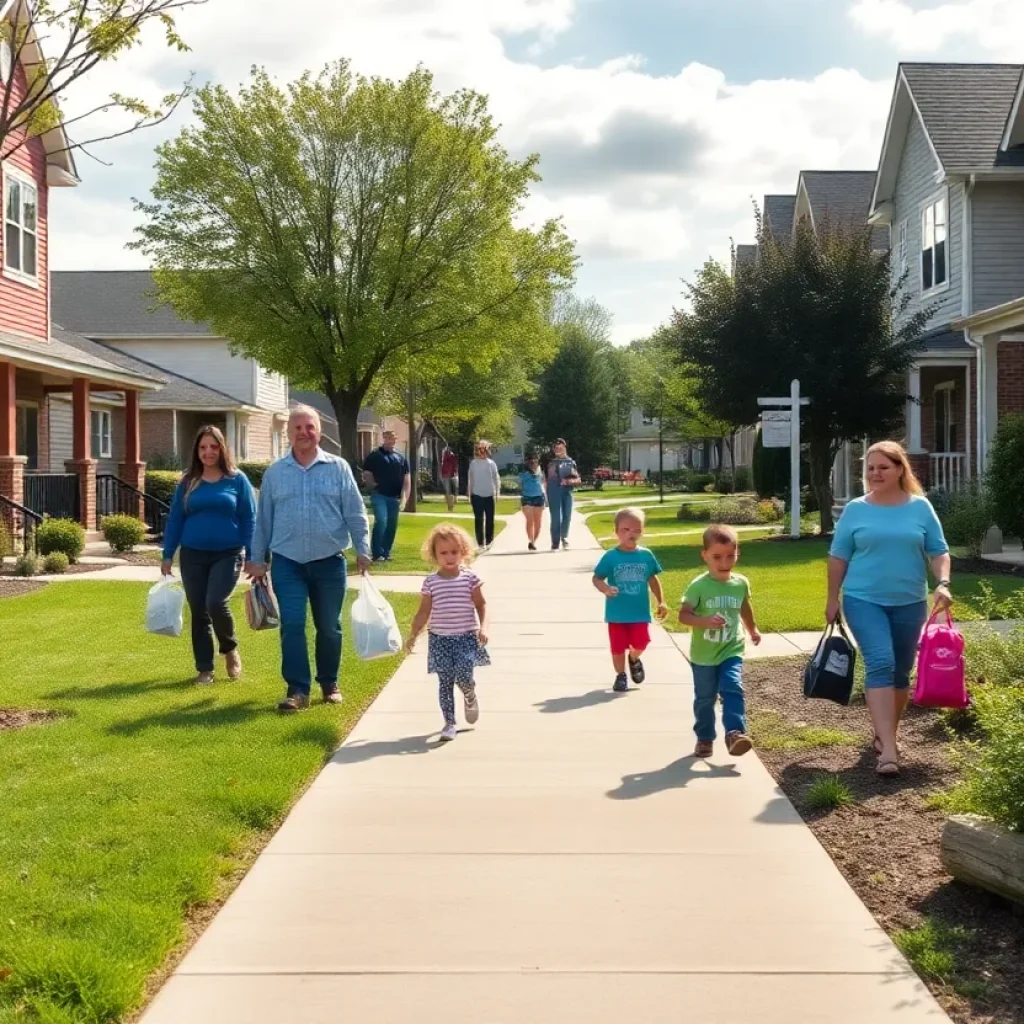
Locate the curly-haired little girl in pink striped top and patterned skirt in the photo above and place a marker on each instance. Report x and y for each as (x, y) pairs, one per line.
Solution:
(453, 605)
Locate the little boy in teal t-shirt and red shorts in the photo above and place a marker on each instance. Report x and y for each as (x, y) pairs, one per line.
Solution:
(624, 576)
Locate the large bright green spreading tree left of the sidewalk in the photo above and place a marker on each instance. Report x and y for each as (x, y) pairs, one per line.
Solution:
(347, 231)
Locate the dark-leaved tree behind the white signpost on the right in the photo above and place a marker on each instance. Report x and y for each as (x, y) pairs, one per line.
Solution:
(820, 310)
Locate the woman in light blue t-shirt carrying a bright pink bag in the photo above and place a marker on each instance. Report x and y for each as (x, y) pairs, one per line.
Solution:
(879, 560)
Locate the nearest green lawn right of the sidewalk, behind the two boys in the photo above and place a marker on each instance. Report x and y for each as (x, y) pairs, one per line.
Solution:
(788, 580)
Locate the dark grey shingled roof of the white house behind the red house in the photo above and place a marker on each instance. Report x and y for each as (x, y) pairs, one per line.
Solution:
(117, 305)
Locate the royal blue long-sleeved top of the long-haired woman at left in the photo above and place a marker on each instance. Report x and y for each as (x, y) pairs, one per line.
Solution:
(217, 517)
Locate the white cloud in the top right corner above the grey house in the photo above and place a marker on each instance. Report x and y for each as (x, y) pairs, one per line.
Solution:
(996, 26)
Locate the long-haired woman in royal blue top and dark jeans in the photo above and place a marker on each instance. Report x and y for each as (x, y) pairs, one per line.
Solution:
(211, 520)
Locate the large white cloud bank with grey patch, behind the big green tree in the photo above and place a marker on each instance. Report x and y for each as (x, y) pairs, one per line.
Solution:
(713, 146)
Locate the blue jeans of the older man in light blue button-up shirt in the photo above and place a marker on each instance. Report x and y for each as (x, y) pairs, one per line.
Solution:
(322, 586)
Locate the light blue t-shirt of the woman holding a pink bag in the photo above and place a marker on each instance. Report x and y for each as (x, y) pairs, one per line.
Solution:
(886, 548)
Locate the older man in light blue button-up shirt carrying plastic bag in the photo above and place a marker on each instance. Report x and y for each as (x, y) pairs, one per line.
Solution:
(310, 511)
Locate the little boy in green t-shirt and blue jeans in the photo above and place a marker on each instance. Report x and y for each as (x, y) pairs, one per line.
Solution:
(714, 606)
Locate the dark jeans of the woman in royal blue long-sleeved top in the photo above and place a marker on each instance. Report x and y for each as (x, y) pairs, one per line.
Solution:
(209, 579)
